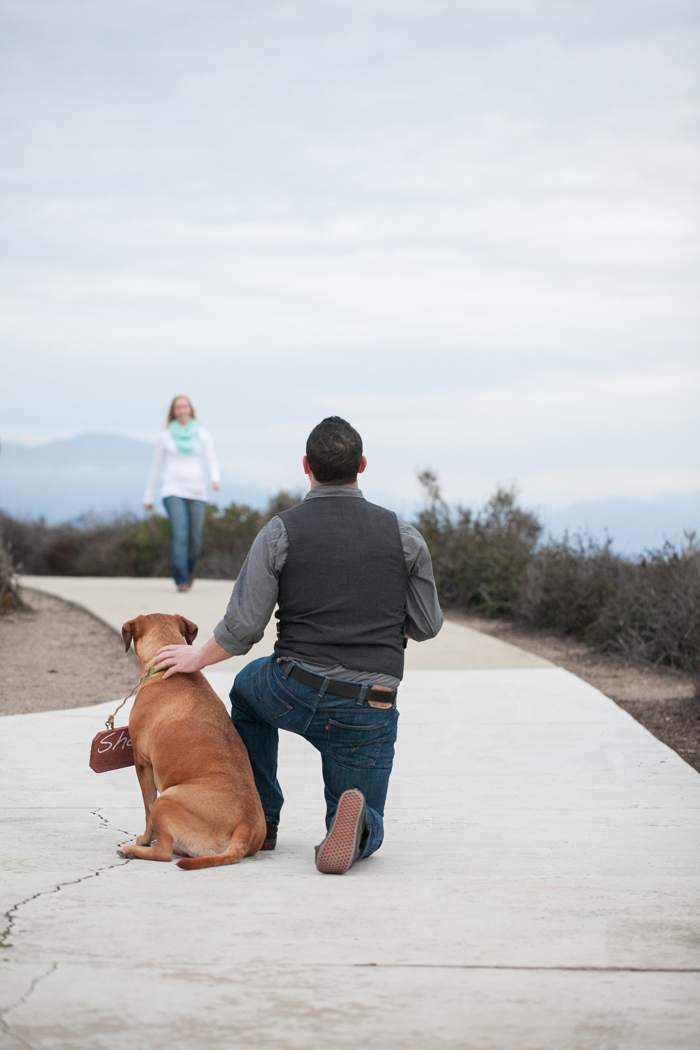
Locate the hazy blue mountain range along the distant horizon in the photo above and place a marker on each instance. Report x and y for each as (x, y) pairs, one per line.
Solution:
(105, 474)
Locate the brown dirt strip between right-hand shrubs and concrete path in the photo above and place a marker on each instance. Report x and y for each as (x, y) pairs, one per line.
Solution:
(666, 702)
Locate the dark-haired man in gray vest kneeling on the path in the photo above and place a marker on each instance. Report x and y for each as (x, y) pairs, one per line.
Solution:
(352, 582)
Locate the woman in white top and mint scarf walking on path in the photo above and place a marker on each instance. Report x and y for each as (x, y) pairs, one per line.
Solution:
(182, 452)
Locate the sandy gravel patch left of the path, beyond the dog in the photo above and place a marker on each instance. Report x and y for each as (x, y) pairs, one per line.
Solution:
(56, 656)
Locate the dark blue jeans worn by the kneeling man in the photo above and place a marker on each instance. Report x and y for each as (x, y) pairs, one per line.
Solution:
(356, 742)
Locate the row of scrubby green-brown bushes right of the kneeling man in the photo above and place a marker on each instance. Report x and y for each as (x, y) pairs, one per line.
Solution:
(490, 562)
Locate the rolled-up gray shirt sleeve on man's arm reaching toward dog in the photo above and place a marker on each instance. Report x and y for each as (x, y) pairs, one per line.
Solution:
(256, 593)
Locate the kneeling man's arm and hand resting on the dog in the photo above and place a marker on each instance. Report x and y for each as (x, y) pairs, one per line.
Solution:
(250, 608)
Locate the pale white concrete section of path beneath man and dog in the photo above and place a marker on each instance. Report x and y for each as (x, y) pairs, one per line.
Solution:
(538, 890)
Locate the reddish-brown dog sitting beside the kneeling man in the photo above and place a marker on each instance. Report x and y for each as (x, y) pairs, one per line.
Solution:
(194, 769)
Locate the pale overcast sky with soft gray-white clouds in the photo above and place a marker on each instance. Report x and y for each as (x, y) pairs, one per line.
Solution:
(470, 227)
